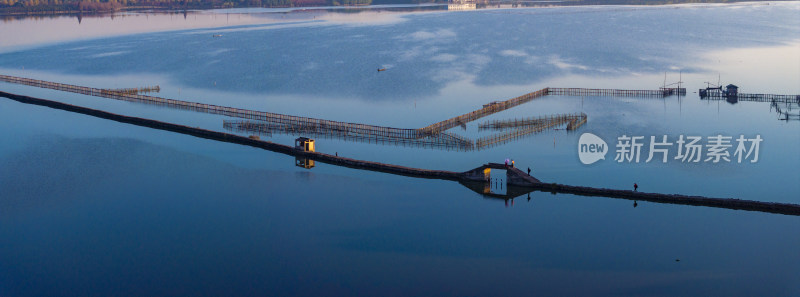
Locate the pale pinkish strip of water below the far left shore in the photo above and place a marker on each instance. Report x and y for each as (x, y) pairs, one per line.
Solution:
(27, 31)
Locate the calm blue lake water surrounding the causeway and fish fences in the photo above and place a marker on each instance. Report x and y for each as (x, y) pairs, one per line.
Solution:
(100, 208)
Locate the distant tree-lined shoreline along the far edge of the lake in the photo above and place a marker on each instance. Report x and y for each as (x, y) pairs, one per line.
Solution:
(72, 9)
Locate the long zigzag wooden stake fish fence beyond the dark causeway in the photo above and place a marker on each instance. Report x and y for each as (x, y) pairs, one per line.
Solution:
(265, 123)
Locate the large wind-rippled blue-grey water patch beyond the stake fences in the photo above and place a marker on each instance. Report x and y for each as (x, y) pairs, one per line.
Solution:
(424, 52)
